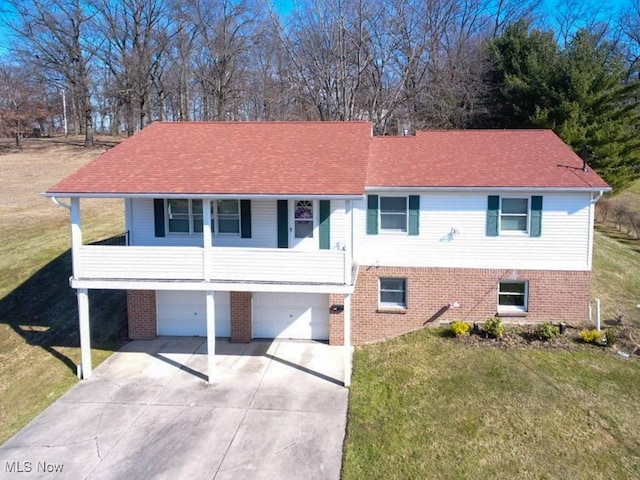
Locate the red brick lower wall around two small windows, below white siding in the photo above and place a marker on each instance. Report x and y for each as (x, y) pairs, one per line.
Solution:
(553, 296)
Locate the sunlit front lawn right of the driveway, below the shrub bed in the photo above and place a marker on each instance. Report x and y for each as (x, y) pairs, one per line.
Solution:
(424, 406)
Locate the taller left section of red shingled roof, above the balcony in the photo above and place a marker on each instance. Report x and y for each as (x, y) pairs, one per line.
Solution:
(243, 158)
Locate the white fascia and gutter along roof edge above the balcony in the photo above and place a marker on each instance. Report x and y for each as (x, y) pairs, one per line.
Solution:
(252, 196)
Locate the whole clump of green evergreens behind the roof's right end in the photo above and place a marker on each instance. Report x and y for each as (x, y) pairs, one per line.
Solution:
(584, 92)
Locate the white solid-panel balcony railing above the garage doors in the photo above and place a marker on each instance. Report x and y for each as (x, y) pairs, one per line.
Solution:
(224, 264)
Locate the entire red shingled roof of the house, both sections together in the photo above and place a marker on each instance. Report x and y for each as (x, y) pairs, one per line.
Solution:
(323, 158)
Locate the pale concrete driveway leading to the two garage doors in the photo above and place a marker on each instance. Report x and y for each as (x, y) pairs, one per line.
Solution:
(277, 410)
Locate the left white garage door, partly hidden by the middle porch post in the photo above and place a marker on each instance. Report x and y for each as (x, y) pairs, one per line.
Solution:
(184, 314)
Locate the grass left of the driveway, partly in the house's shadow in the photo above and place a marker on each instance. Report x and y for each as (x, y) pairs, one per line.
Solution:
(39, 340)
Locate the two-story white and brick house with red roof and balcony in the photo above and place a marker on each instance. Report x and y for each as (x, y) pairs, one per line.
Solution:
(320, 230)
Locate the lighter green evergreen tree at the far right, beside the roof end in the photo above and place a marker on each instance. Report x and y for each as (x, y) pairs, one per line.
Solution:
(600, 110)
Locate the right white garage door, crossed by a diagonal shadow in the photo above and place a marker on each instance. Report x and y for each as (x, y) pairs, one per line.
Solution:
(291, 315)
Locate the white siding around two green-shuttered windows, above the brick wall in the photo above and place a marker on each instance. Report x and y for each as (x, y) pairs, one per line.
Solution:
(453, 234)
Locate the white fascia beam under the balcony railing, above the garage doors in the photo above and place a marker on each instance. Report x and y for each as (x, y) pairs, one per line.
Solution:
(209, 286)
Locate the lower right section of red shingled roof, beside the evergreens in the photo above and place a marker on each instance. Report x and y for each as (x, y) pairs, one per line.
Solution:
(478, 158)
